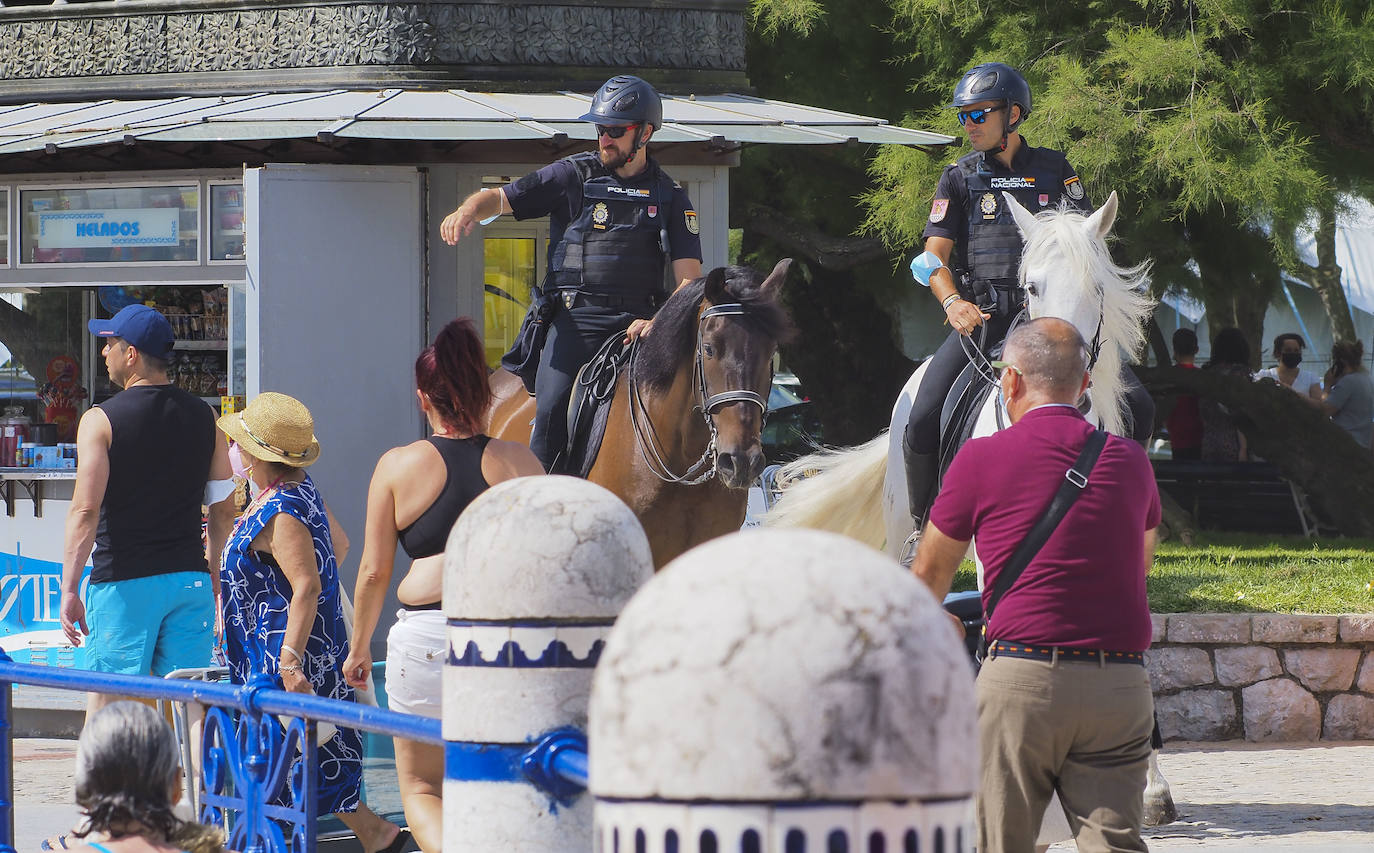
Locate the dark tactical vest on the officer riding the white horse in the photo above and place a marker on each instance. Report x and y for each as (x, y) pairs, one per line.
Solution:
(994, 251)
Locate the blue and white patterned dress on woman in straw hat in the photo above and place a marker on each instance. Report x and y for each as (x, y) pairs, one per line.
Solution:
(256, 600)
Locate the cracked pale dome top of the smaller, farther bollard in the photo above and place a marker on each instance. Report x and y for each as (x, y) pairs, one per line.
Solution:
(545, 547)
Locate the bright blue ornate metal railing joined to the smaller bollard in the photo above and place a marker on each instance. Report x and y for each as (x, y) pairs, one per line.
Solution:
(248, 763)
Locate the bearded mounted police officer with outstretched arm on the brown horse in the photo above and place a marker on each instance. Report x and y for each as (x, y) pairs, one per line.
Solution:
(616, 222)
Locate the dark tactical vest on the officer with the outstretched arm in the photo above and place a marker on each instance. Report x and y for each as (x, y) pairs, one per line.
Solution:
(619, 242)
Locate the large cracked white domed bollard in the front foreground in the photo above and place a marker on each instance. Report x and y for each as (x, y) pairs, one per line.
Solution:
(784, 692)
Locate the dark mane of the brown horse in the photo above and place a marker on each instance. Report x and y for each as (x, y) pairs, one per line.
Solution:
(674, 339)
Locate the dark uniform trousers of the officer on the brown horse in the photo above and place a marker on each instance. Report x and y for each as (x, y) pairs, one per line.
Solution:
(575, 336)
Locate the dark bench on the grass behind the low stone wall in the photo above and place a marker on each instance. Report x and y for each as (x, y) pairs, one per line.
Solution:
(1241, 497)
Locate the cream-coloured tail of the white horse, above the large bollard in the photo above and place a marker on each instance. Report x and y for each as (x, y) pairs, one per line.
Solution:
(837, 491)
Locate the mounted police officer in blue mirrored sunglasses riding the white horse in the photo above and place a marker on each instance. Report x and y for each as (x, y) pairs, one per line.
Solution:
(973, 251)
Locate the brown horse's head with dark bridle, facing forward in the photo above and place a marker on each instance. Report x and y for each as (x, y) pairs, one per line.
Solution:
(737, 336)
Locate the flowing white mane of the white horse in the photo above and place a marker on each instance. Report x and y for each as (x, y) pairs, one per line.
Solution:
(1126, 304)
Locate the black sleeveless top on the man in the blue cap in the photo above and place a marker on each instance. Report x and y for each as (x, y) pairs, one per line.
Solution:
(161, 443)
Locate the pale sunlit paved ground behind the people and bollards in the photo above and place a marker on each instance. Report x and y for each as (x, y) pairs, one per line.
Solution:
(1233, 796)
